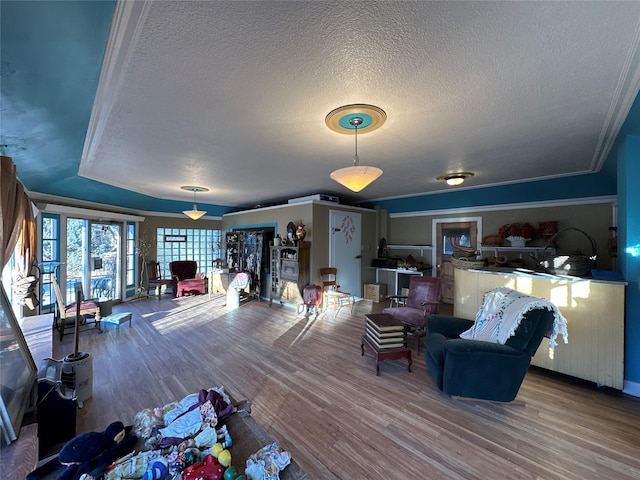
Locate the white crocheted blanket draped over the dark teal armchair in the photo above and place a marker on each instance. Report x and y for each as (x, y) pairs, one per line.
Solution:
(502, 310)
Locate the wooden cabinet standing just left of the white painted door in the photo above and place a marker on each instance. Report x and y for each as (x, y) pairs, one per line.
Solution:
(289, 267)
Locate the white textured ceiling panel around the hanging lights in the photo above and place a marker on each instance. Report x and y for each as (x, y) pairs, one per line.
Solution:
(232, 95)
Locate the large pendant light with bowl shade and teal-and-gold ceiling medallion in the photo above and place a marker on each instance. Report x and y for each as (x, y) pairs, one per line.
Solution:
(348, 120)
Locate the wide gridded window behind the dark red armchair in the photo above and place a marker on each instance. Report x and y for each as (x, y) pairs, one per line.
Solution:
(203, 246)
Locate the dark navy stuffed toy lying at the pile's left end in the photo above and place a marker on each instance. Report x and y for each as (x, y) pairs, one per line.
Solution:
(92, 452)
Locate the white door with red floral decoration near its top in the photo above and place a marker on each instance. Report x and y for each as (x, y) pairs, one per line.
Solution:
(345, 249)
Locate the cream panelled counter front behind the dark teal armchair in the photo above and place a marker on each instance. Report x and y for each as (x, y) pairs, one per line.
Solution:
(594, 309)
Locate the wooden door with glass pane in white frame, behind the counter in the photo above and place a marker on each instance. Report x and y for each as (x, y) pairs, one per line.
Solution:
(448, 234)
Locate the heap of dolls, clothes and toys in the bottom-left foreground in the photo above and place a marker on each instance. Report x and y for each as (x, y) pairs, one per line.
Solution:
(186, 439)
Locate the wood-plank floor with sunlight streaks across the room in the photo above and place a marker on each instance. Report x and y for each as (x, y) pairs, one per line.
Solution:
(320, 399)
